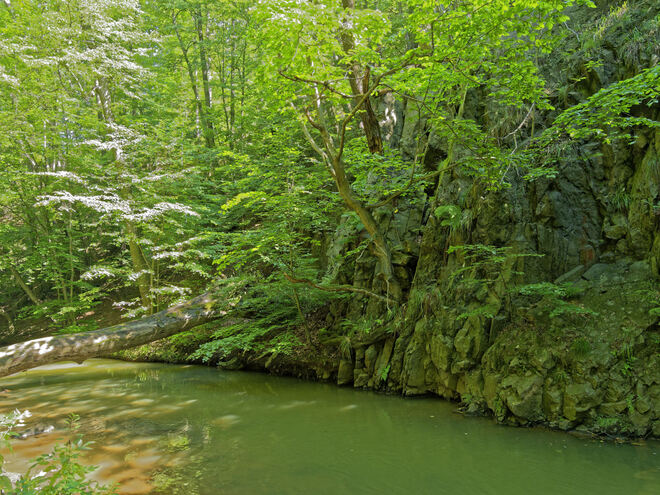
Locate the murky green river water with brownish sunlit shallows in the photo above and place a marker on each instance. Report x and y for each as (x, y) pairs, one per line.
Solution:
(194, 430)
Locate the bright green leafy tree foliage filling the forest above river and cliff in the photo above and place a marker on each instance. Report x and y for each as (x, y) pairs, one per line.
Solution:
(148, 148)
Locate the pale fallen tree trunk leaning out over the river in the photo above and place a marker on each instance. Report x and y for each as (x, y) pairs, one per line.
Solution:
(81, 346)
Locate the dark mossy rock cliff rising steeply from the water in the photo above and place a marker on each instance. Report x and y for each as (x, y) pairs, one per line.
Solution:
(551, 316)
